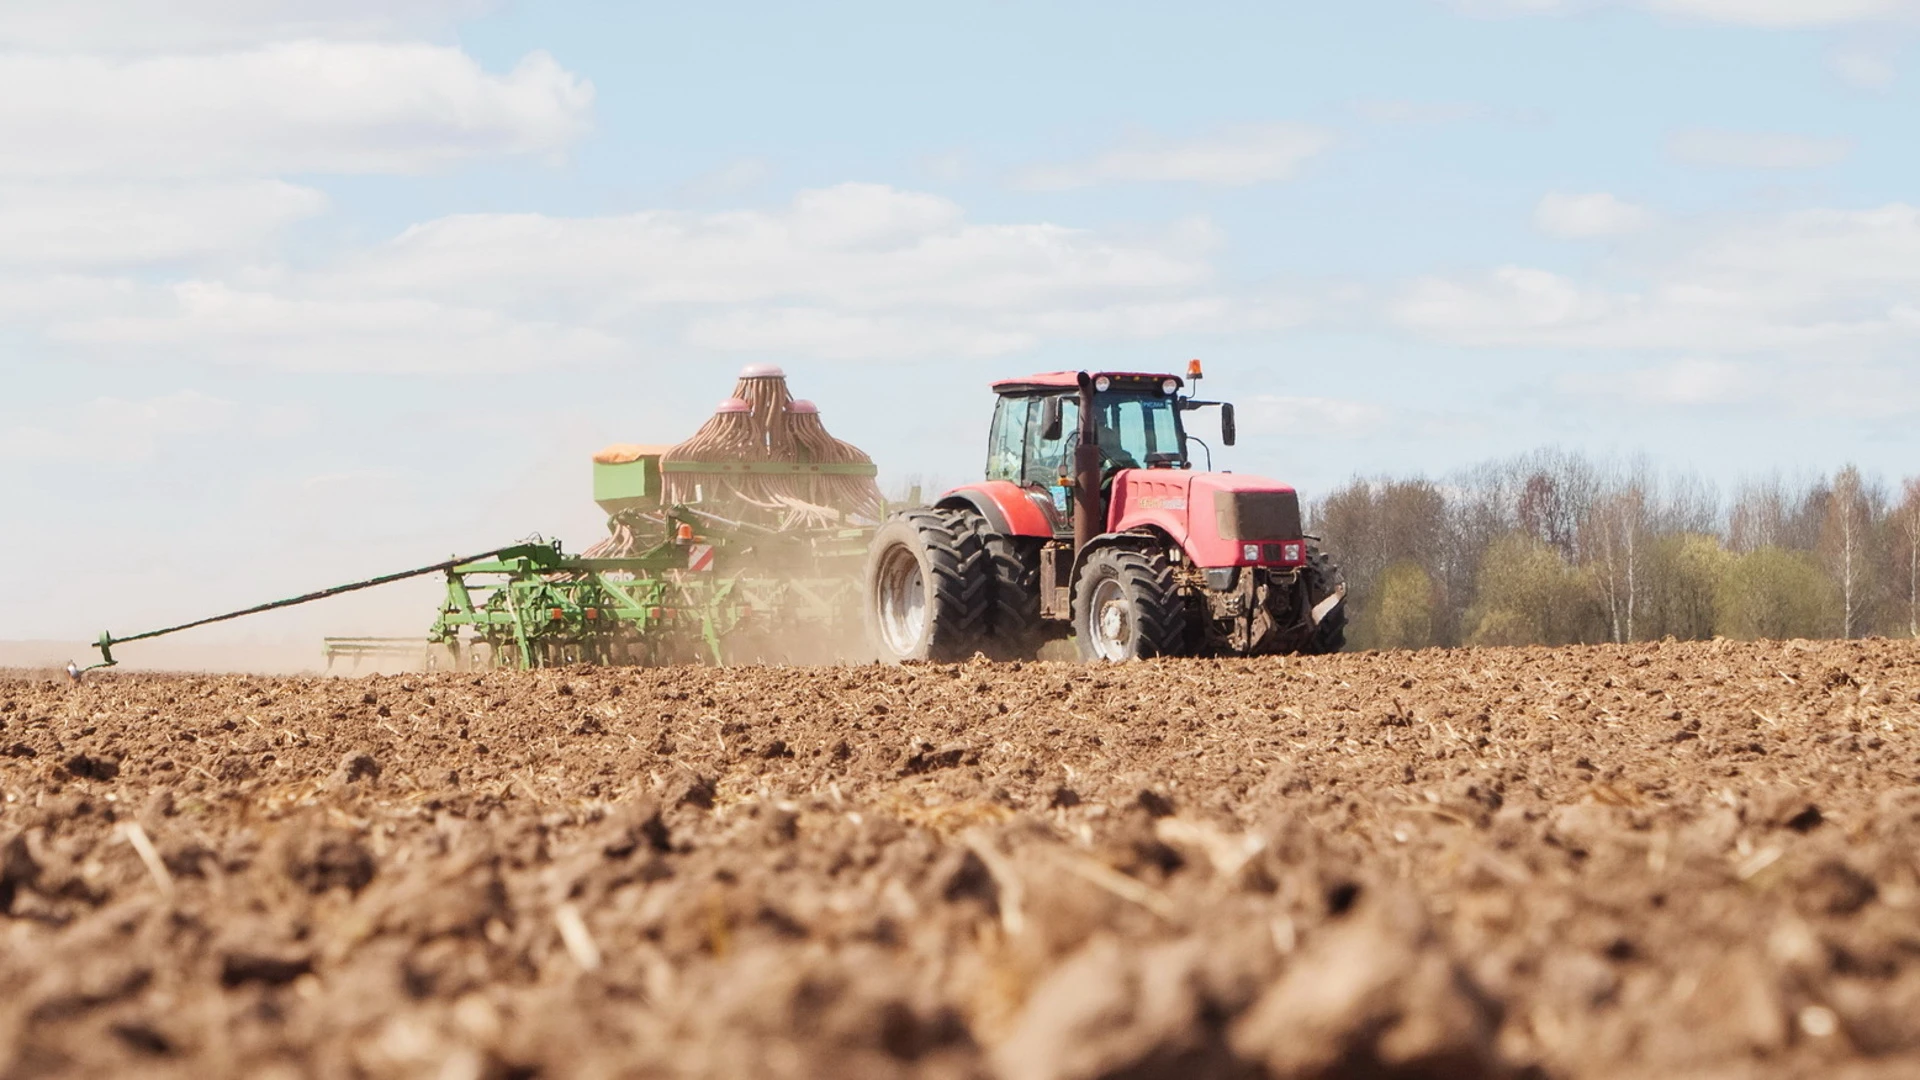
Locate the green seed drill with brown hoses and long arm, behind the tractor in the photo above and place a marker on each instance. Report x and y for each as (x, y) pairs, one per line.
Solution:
(740, 545)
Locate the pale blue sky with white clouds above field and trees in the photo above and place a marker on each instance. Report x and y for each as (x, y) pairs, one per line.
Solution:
(299, 291)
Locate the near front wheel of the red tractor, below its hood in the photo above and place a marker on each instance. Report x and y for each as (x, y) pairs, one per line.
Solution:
(1126, 606)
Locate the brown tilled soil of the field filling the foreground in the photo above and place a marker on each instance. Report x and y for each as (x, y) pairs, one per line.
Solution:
(1618, 862)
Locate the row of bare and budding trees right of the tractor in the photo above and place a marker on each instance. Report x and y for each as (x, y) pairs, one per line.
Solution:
(1556, 549)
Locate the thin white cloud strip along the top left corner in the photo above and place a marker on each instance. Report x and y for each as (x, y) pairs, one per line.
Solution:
(143, 26)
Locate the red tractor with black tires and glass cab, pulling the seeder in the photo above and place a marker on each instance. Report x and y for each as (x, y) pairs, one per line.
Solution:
(1092, 518)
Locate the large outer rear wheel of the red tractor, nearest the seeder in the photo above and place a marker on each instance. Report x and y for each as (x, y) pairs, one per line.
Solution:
(928, 587)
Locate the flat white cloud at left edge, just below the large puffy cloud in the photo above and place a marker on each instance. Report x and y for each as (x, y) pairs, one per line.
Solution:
(120, 224)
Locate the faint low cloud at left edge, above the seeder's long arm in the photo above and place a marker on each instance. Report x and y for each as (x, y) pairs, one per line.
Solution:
(114, 430)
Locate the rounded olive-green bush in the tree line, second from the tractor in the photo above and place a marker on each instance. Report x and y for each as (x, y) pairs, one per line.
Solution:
(1529, 595)
